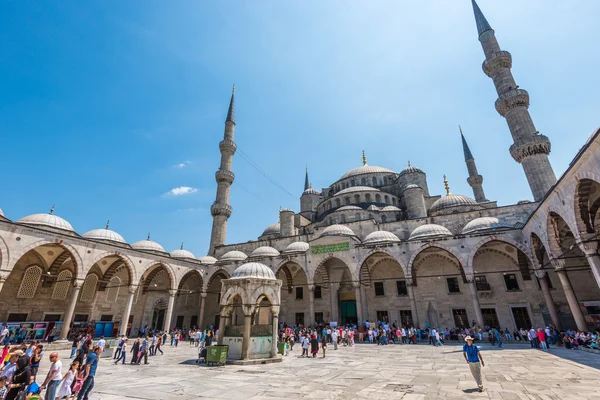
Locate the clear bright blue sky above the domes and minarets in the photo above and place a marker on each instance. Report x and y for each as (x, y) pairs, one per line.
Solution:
(105, 107)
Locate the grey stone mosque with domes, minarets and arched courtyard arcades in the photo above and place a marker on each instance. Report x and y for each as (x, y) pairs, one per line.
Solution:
(374, 245)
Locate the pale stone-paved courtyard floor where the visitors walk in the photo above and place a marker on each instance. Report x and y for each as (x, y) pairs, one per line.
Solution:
(360, 372)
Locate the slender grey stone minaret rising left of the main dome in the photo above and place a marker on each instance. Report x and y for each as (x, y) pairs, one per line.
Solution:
(220, 209)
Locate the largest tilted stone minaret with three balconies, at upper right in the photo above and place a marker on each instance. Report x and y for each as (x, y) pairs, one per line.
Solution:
(530, 148)
